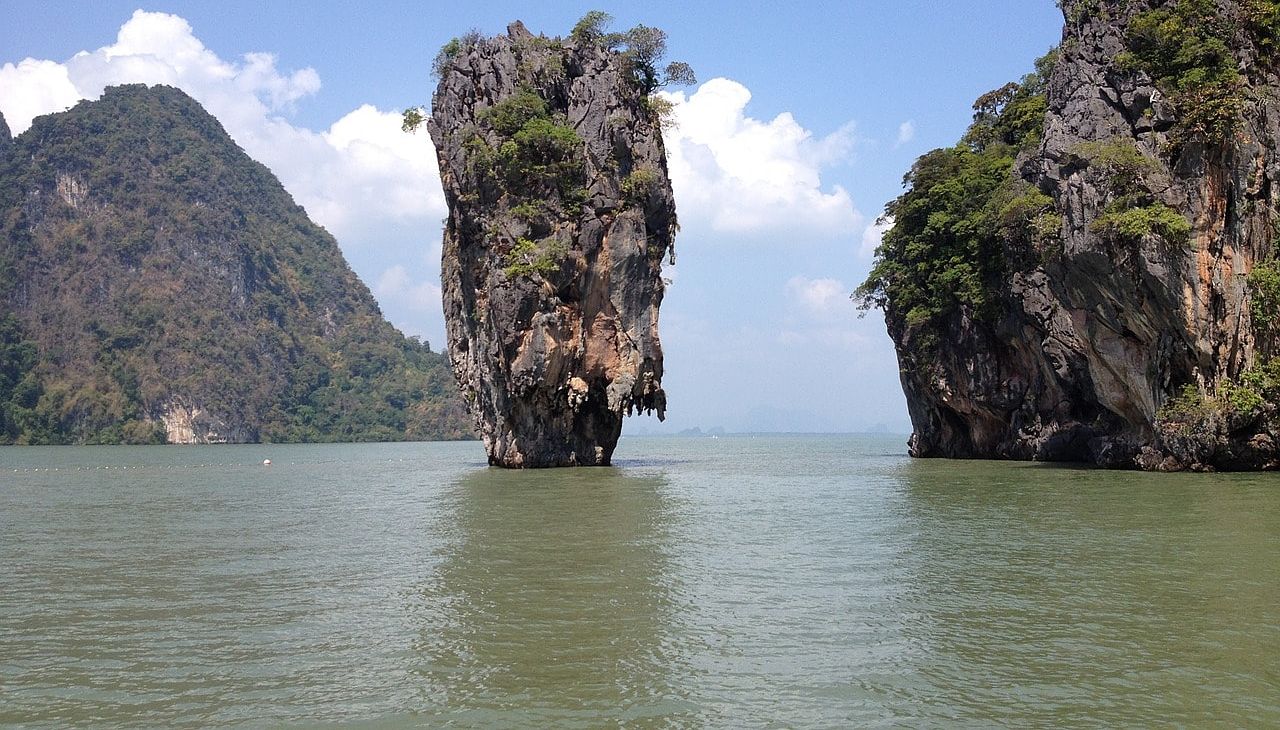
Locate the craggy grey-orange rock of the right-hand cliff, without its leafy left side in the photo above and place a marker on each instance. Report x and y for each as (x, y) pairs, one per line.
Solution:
(1139, 332)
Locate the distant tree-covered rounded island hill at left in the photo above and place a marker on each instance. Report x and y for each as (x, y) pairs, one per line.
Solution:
(157, 285)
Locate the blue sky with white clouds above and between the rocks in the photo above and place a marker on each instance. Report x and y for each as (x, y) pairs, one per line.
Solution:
(801, 133)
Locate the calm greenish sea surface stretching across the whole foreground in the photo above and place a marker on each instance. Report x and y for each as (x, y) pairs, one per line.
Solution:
(769, 582)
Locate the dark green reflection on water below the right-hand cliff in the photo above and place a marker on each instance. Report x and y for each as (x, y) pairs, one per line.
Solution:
(1080, 597)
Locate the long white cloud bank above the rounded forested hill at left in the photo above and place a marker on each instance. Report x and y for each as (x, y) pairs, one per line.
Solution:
(353, 179)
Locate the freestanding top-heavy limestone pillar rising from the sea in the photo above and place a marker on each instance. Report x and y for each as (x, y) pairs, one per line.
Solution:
(560, 217)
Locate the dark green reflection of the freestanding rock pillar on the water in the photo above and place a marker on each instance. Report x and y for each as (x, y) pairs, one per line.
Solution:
(554, 601)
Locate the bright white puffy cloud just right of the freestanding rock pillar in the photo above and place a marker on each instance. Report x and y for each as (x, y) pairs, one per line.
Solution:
(739, 175)
